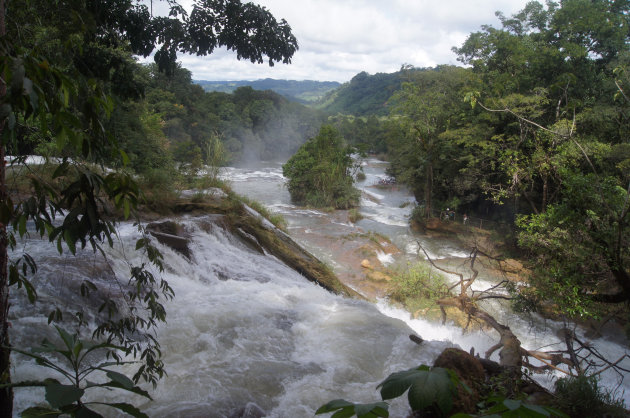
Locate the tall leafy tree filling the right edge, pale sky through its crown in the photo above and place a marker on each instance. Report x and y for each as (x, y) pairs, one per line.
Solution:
(555, 110)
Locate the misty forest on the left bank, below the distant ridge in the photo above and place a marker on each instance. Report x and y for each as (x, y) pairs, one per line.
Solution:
(175, 121)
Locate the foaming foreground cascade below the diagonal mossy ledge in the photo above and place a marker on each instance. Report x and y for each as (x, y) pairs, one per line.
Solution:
(245, 328)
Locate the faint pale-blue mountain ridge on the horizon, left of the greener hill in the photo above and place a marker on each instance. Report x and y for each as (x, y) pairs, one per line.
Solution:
(306, 91)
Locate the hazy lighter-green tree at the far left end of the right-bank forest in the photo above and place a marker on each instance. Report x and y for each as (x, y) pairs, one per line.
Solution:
(427, 108)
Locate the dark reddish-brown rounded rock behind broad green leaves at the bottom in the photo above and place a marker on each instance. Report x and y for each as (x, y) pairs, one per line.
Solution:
(470, 371)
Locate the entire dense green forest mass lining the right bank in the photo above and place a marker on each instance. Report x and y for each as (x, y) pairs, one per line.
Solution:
(534, 133)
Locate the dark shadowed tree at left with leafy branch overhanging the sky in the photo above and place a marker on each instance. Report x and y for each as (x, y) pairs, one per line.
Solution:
(64, 69)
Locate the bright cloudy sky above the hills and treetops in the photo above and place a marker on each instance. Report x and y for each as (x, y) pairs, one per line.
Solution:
(339, 38)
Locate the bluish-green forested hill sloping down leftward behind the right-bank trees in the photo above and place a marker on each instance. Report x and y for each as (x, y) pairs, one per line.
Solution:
(364, 95)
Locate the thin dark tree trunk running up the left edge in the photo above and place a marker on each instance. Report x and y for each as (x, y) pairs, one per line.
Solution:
(6, 394)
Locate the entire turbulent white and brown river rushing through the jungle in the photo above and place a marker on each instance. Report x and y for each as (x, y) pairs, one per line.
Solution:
(245, 332)
